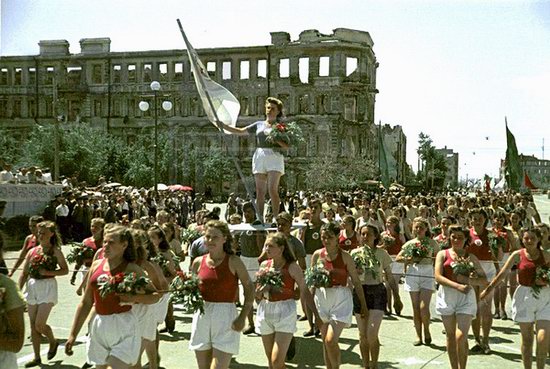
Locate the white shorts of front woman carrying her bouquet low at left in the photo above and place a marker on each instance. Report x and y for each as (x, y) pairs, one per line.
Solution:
(213, 328)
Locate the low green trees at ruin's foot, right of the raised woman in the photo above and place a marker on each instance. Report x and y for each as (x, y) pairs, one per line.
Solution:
(325, 173)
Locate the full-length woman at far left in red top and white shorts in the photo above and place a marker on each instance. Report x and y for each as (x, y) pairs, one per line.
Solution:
(39, 271)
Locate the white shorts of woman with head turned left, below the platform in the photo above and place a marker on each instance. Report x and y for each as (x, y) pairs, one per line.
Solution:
(276, 316)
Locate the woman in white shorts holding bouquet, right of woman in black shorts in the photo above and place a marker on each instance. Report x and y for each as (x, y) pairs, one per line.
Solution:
(418, 254)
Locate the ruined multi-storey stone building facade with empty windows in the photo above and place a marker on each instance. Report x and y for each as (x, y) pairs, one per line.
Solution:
(326, 82)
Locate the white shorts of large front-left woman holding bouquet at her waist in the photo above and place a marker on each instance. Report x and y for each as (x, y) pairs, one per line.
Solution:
(114, 335)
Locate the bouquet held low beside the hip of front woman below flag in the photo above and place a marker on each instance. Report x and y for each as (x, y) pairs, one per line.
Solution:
(185, 291)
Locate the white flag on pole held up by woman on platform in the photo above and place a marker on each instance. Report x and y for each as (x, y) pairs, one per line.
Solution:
(218, 103)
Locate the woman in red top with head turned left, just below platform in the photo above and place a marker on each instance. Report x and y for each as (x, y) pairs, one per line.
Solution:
(276, 314)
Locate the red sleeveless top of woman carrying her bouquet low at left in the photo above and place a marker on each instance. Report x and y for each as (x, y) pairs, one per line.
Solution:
(218, 284)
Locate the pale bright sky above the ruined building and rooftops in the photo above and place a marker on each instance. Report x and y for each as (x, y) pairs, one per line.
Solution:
(451, 69)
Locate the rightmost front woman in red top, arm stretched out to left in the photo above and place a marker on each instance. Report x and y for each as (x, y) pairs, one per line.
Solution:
(531, 301)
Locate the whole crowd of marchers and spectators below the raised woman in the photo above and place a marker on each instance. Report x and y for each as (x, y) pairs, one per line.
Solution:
(370, 240)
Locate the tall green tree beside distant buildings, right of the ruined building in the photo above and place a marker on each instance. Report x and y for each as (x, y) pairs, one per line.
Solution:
(434, 167)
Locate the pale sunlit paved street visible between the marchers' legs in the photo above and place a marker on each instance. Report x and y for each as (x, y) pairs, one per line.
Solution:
(397, 335)
